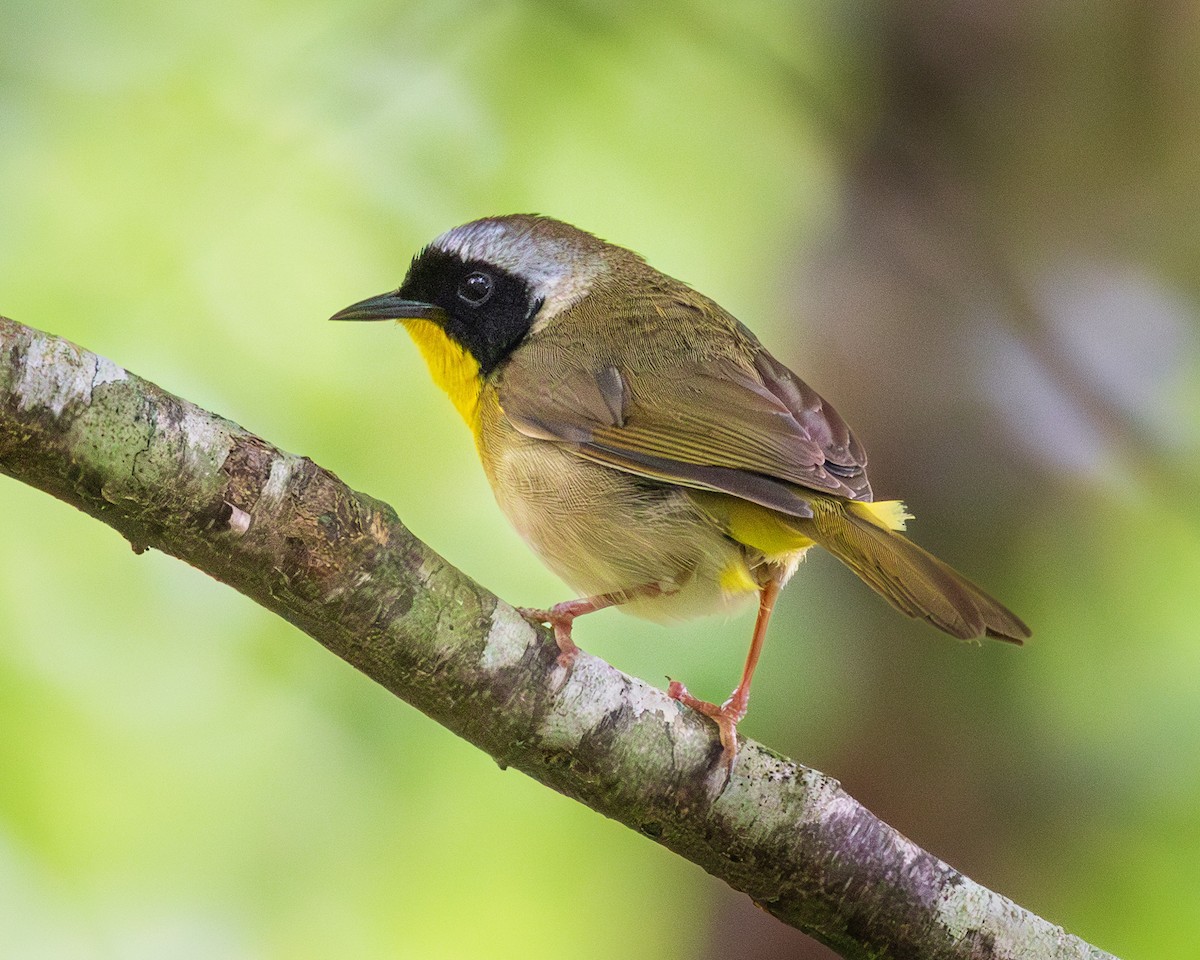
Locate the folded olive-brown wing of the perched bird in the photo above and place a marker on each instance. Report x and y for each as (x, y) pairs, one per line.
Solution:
(746, 425)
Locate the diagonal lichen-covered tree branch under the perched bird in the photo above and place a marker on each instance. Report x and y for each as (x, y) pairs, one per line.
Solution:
(343, 568)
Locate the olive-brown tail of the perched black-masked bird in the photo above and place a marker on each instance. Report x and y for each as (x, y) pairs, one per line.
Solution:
(911, 579)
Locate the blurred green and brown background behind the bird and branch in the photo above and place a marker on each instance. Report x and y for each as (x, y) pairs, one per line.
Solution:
(973, 227)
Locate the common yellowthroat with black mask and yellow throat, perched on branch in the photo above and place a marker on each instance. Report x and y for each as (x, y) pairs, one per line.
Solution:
(647, 446)
